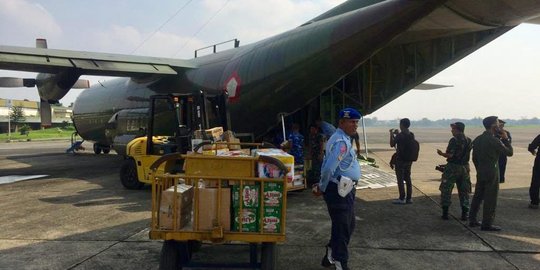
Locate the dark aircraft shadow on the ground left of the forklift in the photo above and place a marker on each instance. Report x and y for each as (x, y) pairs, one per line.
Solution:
(99, 170)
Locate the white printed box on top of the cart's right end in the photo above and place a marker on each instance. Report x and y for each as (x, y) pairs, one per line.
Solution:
(267, 170)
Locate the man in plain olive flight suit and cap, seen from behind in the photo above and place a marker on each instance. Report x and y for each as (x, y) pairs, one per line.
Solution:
(486, 151)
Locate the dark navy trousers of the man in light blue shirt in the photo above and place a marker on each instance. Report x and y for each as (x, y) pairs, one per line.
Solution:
(341, 210)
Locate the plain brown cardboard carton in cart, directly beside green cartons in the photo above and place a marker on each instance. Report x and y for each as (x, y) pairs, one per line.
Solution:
(208, 211)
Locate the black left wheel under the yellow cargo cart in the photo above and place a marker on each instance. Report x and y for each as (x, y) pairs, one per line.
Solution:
(173, 255)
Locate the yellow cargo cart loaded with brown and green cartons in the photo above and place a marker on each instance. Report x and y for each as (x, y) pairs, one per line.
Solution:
(217, 199)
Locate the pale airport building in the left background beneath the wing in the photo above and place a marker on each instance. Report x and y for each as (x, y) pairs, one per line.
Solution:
(30, 109)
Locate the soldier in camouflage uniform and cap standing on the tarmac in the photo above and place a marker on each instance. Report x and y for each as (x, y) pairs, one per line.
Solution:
(456, 171)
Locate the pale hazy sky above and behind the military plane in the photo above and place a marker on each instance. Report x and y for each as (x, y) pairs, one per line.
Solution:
(499, 79)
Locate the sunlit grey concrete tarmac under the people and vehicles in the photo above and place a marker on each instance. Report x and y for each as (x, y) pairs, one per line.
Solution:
(80, 216)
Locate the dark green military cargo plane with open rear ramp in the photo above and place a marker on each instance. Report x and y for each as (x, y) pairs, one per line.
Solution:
(362, 53)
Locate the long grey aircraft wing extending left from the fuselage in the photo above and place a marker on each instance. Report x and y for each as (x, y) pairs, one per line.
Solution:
(88, 63)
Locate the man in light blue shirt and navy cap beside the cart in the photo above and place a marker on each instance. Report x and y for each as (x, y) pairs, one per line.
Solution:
(340, 170)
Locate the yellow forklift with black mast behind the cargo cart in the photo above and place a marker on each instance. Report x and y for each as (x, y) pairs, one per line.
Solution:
(172, 120)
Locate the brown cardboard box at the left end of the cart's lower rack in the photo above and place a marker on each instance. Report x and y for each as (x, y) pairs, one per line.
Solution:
(184, 205)
